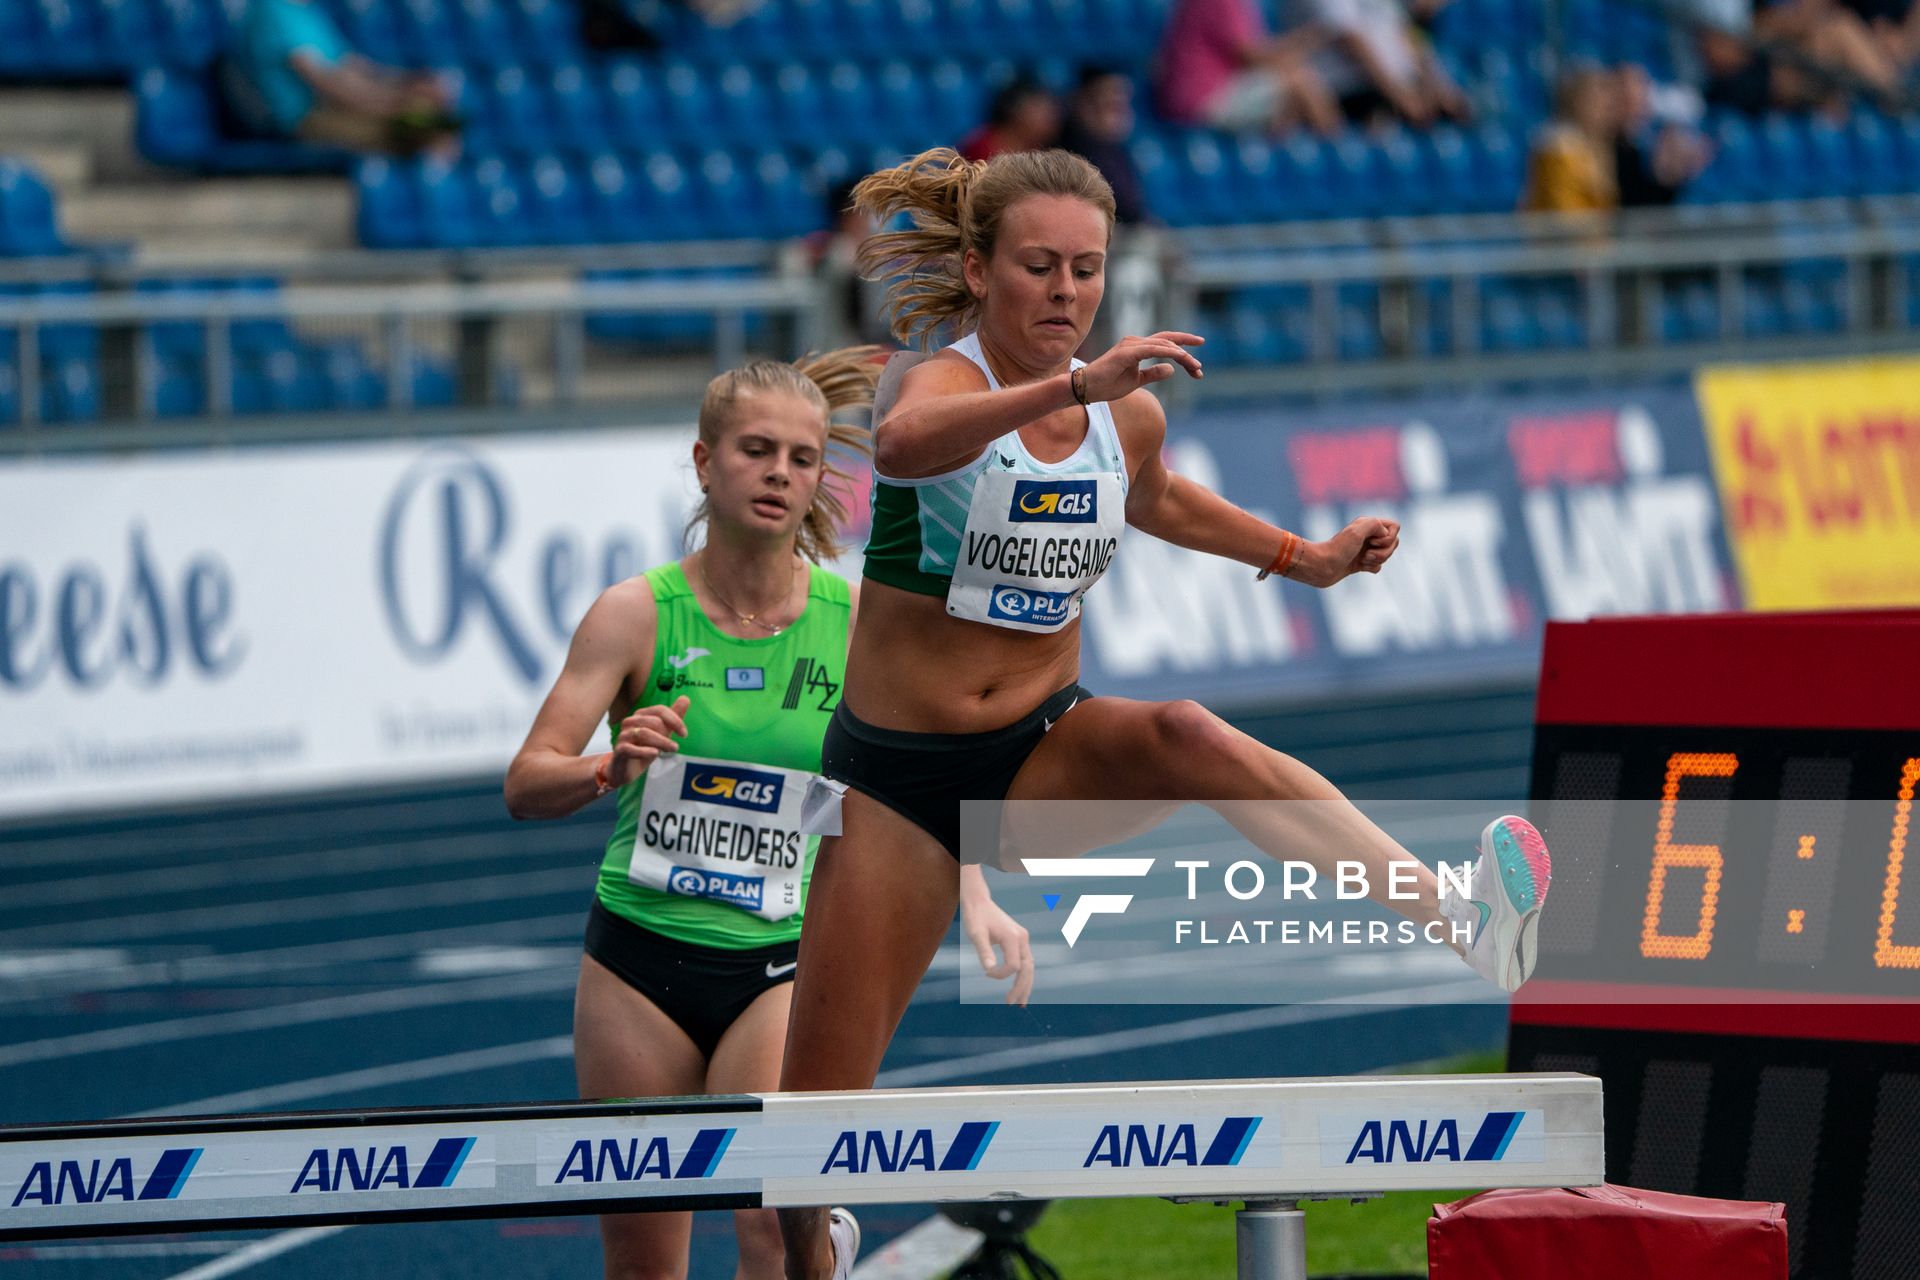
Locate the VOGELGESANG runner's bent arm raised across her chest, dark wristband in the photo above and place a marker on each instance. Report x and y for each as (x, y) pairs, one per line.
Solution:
(946, 415)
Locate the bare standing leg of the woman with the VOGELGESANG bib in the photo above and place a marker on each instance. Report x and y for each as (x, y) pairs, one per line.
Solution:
(882, 897)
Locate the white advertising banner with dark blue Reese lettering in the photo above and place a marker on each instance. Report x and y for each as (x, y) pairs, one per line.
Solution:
(185, 627)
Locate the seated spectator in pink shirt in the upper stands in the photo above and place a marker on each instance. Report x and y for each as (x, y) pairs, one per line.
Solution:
(1222, 68)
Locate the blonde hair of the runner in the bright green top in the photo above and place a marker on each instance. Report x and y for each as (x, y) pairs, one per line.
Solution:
(830, 383)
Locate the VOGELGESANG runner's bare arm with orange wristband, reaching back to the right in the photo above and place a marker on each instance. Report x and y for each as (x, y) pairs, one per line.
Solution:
(1189, 515)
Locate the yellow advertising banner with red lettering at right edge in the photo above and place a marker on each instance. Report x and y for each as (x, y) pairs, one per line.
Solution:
(1819, 471)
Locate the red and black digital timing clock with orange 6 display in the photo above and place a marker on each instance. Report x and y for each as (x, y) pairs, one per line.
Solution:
(1729, 945)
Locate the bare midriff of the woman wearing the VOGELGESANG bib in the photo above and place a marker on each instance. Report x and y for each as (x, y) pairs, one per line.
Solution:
(921, 671)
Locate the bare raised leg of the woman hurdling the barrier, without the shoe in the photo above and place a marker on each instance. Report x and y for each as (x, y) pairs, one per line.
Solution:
(1116, 749)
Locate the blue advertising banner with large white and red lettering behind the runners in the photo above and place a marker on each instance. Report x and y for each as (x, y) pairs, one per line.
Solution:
(1512, 510)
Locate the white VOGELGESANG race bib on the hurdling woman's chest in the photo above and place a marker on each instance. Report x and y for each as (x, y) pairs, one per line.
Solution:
(1032, 548)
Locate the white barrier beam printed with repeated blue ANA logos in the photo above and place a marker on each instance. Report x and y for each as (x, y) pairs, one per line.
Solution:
(1209, 1139)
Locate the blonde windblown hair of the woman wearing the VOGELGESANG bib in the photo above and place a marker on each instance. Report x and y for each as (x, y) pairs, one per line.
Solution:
(957, 204)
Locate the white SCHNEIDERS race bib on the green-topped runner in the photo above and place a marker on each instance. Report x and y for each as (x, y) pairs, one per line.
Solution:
(729, 832)
